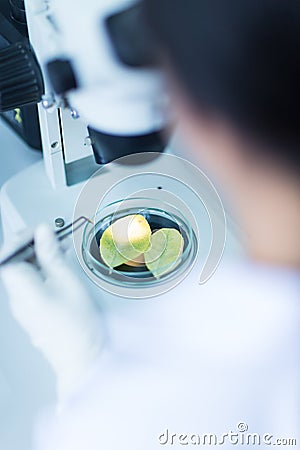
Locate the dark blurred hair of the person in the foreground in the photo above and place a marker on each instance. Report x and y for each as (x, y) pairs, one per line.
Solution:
(240, 58)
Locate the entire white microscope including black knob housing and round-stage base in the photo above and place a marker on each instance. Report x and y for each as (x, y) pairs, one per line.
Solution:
(78, 81)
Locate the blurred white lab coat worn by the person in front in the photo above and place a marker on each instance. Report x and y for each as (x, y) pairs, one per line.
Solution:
(200, 359)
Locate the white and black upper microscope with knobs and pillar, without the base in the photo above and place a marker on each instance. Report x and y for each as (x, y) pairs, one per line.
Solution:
(103, 97)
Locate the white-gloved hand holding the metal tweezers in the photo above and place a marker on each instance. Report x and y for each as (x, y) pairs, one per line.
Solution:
(54, 308)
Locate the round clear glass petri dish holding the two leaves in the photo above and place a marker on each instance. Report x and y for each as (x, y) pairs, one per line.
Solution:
(159, 214)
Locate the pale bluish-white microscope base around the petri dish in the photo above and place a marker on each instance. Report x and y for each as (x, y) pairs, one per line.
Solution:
(28, 199)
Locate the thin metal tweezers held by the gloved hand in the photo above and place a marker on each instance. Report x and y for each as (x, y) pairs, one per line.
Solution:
(26, 251)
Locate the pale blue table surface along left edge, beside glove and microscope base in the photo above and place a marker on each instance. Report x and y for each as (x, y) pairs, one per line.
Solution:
(26, 382)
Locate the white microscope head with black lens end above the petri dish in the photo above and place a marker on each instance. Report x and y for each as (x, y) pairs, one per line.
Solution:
(102, 68)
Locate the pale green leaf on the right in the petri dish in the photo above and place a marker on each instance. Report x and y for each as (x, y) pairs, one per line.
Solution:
(165, 251)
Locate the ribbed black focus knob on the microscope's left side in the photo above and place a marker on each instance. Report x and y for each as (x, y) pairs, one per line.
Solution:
(21, 81)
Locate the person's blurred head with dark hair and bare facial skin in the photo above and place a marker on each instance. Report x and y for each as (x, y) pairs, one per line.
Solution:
(234, 72)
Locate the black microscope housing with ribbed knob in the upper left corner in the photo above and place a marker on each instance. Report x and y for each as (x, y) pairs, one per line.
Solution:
(21, 82)
